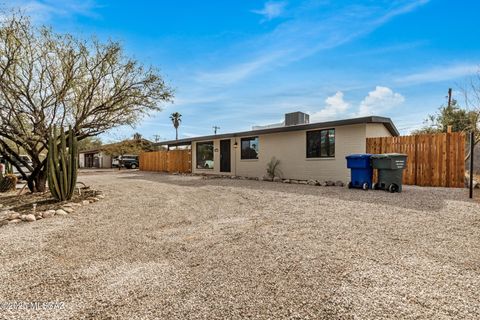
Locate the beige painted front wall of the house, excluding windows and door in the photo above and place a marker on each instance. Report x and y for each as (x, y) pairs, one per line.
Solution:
(290, 149)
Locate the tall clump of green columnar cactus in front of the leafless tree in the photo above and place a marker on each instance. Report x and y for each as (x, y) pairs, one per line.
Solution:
(62, 164)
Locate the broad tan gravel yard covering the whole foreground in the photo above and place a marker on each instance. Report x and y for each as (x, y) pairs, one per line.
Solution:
(180, 247)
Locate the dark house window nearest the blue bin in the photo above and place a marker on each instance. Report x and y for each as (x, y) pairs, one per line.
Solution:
(321, 143)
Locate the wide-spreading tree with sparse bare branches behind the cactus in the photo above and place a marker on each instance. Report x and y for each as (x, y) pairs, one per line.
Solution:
(48, 79)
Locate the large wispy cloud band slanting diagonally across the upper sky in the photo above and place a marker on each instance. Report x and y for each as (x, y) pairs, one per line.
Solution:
(302, 36)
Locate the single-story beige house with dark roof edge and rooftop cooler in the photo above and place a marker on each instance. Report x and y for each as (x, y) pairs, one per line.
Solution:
(305, 150)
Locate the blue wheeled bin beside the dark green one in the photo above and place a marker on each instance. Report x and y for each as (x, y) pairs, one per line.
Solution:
(361, 171)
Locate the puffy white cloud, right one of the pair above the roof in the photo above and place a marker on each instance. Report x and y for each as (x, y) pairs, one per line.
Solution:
(378, 101)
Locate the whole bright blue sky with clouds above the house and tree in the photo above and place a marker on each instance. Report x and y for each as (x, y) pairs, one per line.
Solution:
(235, 64)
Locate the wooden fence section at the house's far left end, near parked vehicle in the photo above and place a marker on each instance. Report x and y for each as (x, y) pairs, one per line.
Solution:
(167, 161)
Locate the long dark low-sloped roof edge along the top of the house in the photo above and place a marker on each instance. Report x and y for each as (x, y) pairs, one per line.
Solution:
(318, 125)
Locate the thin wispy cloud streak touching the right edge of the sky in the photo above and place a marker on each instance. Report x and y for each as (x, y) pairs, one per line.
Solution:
(437, 74)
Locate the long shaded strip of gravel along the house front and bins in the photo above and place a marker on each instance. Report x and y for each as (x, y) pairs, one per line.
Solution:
(416, 198)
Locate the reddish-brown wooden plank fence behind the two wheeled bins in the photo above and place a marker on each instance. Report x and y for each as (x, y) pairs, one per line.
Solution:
(436, 160)
